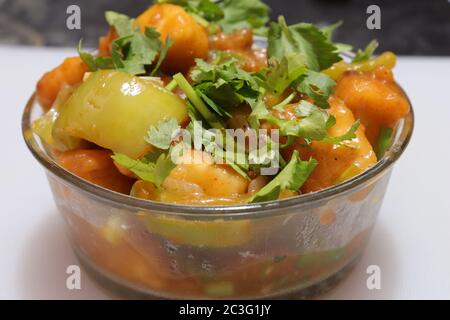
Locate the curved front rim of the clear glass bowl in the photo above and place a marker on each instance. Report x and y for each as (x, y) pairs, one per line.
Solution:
(402, 138)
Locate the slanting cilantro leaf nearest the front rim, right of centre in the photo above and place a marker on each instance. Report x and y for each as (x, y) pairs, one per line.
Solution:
(292, 177)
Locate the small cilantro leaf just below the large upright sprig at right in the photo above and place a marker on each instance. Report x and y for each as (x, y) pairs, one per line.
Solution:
(317, 86)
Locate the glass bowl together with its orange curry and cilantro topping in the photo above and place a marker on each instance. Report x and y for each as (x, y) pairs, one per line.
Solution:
(212, 163)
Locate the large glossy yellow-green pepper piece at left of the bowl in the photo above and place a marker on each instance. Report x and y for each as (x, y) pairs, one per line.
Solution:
(115, 110)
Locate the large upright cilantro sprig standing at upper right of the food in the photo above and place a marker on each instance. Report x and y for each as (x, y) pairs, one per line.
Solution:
(297, 54)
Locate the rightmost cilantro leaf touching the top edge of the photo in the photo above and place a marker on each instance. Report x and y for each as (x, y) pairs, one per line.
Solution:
(240, 14)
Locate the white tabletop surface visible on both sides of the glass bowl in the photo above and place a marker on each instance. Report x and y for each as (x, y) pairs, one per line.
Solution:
(411, 241)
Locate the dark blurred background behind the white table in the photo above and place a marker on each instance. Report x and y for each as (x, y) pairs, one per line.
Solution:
(414, 27)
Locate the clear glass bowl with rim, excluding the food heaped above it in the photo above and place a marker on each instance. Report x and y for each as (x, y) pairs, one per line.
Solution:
(296, 247)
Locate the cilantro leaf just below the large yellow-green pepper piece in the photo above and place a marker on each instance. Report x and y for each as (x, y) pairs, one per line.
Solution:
(145, 170)
